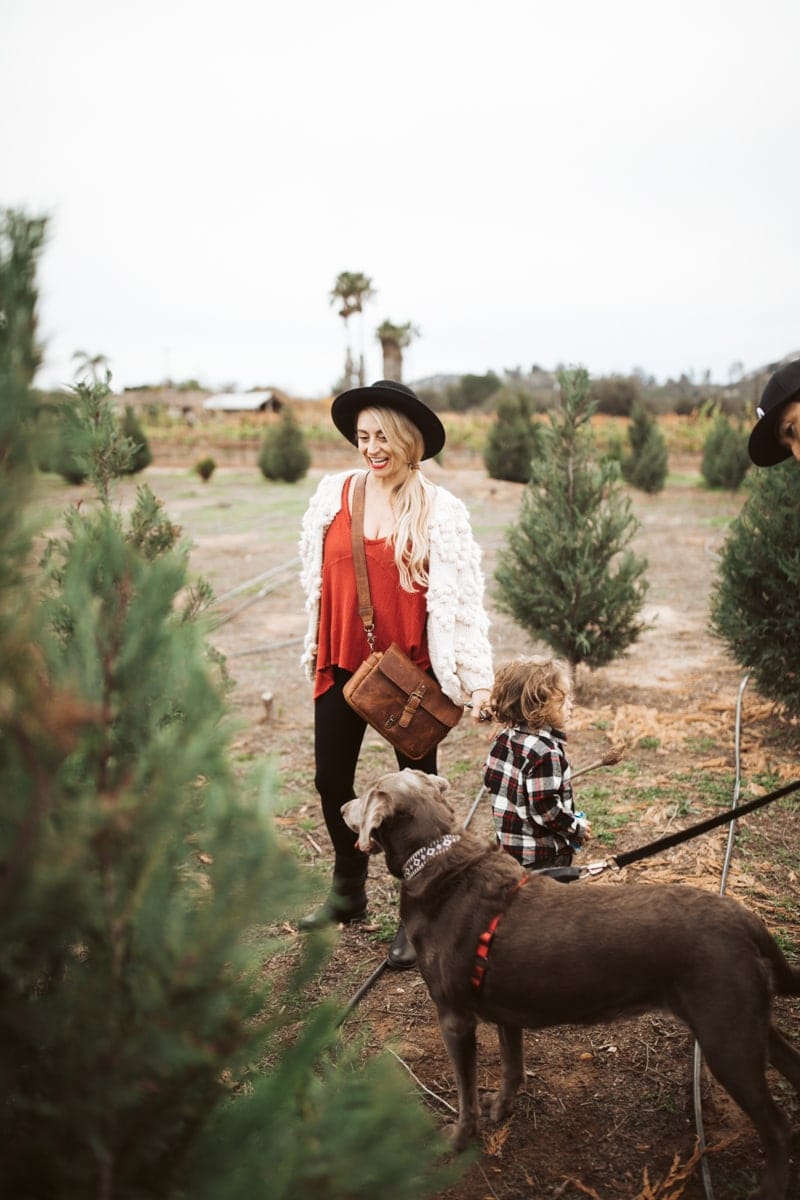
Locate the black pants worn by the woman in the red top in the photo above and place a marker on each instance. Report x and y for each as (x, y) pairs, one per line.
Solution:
(339, 734)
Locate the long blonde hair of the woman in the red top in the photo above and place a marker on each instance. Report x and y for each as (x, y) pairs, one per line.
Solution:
(412, 500)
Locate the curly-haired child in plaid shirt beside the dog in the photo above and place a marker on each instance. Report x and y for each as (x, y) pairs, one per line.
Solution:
(527, 770)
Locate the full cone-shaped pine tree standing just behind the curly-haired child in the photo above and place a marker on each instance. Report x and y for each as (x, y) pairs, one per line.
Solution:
(567, 574)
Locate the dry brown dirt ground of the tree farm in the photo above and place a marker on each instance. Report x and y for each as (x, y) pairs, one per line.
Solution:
(607, 1112)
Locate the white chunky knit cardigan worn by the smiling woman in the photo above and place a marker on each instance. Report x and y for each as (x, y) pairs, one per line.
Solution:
(458, 627)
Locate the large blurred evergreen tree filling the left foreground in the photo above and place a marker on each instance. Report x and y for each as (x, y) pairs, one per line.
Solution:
(136, 874)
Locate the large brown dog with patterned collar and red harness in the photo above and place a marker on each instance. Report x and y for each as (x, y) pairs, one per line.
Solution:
(572, 955)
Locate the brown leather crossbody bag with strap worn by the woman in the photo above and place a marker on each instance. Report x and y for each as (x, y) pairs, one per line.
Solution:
(401, 701)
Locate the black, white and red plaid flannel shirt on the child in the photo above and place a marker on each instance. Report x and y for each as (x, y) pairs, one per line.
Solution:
(528, 775)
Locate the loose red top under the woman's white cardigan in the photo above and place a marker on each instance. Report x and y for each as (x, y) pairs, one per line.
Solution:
(399, 616)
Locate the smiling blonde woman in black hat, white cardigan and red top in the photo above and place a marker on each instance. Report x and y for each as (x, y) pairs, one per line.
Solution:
(428, 591)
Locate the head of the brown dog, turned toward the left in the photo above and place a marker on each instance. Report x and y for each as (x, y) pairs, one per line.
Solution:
(399, 814)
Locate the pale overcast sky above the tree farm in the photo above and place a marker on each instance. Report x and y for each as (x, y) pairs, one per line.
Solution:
(612, 184)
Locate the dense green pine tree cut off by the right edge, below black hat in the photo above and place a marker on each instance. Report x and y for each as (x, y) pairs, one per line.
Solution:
(756, 596)
